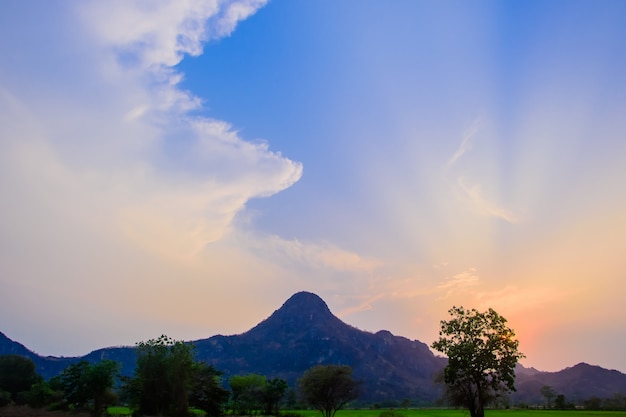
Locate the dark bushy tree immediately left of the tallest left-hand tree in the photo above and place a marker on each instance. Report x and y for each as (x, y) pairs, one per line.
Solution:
(88, 386)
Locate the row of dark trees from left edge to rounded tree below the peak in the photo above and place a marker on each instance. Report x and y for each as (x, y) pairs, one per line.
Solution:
(168, 381)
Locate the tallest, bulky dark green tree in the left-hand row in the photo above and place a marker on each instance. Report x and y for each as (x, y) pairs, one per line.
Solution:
(163, 376)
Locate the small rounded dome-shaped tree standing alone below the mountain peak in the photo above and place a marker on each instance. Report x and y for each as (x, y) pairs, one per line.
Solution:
(328, 388)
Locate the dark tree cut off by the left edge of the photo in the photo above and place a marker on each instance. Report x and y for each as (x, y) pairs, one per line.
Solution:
(17, 374)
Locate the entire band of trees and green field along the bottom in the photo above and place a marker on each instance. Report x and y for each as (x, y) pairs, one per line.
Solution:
(168, 381)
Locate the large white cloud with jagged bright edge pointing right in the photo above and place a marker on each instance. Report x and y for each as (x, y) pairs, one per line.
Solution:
(169, 181)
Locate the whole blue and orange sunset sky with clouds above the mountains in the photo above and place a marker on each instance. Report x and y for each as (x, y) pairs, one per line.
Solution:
(184, 167)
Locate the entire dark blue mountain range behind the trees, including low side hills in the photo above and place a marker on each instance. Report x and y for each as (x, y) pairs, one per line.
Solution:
(303, 333)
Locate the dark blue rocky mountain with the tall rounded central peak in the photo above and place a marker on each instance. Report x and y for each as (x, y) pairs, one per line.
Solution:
(304, 333)
